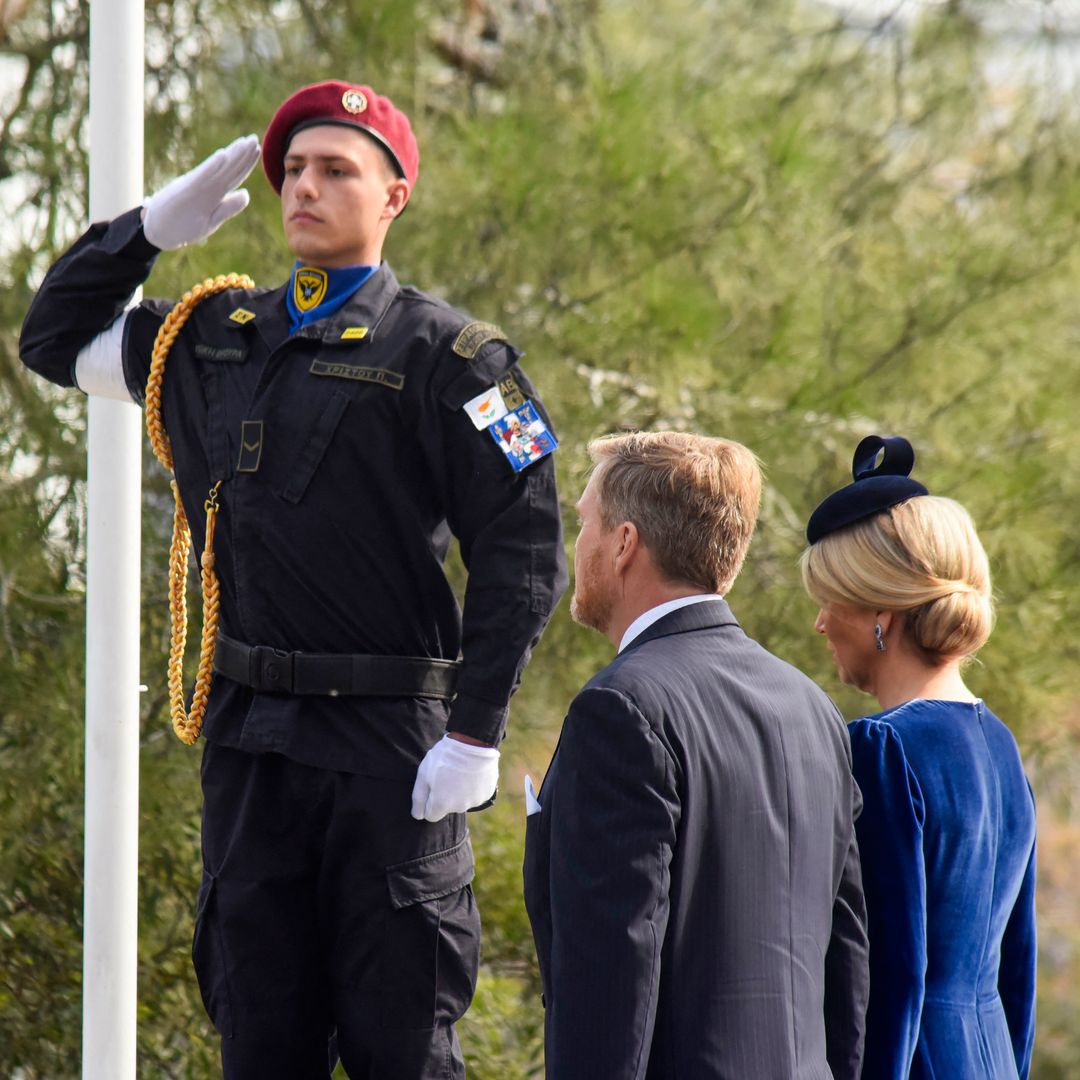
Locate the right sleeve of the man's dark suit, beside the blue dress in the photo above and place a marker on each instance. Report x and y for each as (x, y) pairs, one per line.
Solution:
(847, 966)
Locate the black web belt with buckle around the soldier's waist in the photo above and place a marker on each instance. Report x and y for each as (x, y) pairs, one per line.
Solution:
(275, 671)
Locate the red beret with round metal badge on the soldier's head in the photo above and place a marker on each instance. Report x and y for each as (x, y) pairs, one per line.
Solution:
(341, 103)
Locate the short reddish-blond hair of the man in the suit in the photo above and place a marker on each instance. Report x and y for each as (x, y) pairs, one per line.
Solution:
(694, 501)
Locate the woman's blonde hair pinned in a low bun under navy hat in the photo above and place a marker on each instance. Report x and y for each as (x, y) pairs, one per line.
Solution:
(923, 559)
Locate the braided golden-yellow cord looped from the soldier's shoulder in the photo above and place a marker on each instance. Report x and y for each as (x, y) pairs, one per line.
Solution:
(186, 725)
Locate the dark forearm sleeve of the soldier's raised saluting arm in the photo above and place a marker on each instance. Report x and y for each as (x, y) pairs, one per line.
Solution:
(84, 293)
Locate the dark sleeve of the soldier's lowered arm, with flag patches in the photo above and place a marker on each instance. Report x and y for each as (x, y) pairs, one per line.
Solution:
(510, 533)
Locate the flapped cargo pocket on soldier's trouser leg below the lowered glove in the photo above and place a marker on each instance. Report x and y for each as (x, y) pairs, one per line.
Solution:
(431, 950)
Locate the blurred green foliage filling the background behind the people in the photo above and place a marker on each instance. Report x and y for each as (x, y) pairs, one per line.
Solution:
(796, 234)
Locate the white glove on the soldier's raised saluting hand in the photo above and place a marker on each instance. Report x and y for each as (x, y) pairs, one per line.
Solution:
(195, 205)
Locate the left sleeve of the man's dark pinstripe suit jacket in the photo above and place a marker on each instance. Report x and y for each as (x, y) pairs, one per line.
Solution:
(616, 813)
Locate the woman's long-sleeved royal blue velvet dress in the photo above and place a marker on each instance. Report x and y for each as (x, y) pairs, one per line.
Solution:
(948, 844)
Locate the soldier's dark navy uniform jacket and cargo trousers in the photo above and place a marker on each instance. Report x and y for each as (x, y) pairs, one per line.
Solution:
(348, 462)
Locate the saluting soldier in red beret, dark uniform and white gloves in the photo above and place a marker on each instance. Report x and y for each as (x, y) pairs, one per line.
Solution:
(349, 426)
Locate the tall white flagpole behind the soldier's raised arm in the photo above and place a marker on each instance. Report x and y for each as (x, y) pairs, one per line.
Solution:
(114, 492)
